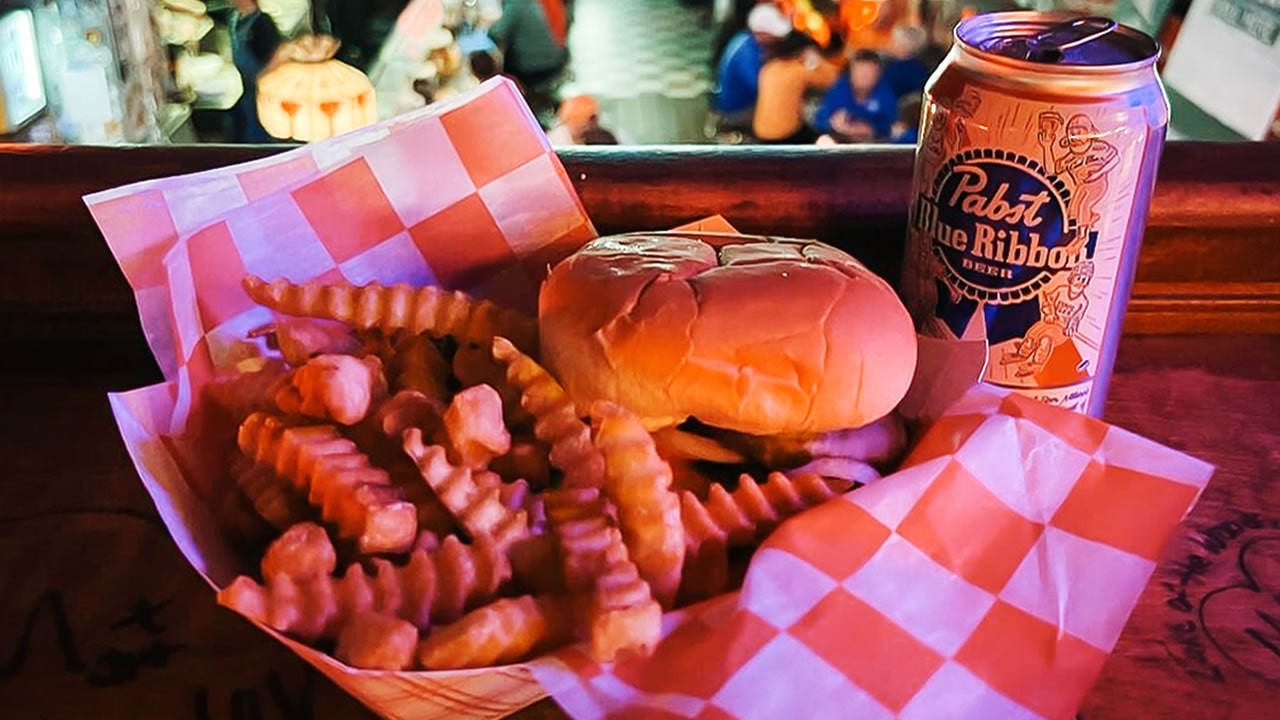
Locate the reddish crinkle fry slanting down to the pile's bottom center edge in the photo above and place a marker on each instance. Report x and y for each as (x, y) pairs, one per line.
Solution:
(615, 601)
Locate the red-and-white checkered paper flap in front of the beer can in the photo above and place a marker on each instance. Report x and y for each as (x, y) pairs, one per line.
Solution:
(925, 594)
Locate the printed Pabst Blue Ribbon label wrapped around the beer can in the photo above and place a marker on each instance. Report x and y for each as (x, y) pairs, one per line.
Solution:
(1018, 225)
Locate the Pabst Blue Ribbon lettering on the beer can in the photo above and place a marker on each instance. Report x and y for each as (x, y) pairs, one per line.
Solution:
(1004, 226)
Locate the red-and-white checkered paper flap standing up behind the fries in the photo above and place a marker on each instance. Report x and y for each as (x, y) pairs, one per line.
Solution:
(428, 198)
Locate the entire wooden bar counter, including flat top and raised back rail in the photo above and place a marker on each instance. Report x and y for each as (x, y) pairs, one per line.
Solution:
(100, 617)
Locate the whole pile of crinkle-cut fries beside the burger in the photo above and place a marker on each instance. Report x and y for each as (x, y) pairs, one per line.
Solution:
(437, 502)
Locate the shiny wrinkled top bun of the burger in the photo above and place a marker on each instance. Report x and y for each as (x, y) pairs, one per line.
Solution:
(748, 334)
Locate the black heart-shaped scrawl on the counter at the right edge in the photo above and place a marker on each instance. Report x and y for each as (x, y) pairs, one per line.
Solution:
(1226, 601)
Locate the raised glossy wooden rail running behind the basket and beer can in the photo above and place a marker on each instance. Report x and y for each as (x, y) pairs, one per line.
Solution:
(1210, 261)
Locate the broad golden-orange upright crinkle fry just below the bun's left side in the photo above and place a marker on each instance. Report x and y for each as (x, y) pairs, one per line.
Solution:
(638, 481)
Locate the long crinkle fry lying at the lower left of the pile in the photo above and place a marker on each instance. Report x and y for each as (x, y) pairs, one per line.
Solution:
(433, 589)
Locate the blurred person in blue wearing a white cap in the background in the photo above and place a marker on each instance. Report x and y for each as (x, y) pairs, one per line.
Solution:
(739, 79)
